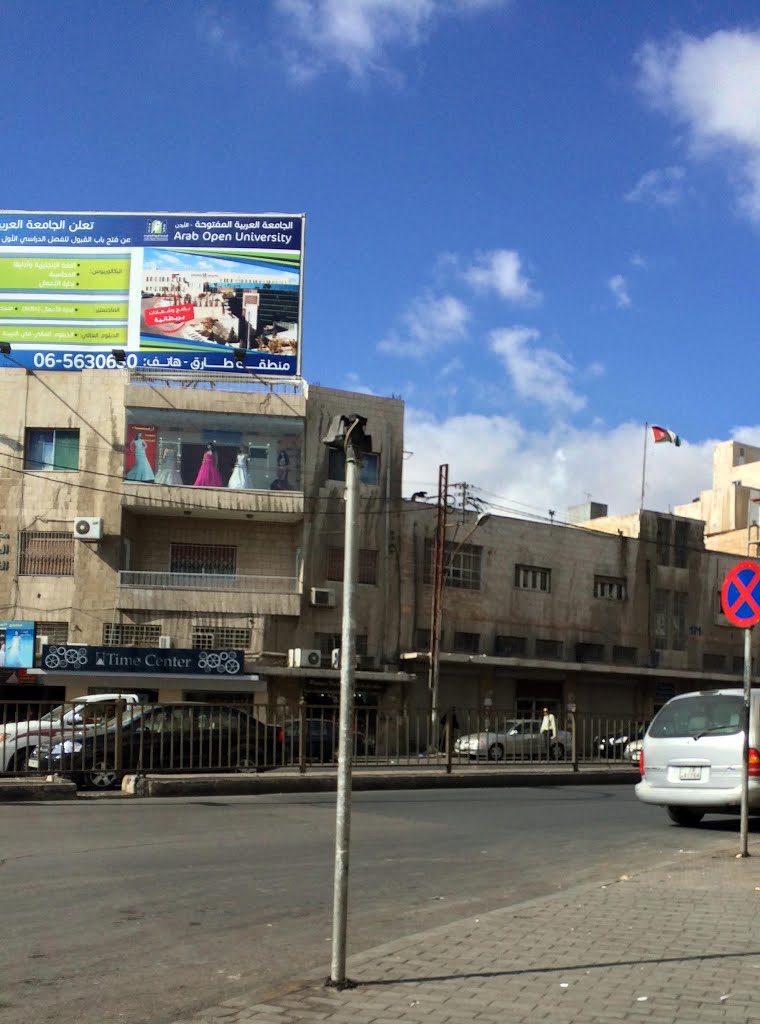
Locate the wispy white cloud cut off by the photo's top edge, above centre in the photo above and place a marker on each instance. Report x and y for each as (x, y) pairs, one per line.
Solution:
(359, 34)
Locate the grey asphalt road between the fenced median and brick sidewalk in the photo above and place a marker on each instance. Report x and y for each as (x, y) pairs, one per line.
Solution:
(142, 912)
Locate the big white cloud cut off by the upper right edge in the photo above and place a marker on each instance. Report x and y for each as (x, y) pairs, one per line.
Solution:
(712, 87)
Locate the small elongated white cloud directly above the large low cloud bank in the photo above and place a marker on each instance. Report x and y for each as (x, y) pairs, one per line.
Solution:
(537, 374)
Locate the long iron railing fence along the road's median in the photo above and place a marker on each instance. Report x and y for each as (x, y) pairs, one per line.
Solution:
(99, 742)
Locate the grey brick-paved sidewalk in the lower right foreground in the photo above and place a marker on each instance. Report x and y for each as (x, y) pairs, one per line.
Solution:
(677, 946)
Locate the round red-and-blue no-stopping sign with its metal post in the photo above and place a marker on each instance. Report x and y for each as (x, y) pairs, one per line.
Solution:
(740, 598)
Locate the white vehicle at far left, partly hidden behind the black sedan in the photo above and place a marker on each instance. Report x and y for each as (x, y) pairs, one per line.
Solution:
(18, 740)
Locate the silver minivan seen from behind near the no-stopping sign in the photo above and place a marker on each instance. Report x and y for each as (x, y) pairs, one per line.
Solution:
(692, 756)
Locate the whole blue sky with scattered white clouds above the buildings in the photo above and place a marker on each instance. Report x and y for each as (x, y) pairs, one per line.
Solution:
(537, 223)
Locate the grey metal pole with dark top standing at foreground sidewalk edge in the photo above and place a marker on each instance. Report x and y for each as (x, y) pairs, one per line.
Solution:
(346, 728)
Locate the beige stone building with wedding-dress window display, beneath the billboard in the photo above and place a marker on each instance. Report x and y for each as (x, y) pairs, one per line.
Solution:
(185, 537)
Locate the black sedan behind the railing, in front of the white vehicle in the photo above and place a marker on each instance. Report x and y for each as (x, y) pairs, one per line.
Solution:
(162, 738)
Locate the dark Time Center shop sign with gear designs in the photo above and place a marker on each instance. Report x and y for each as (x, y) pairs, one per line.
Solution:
(158, 661)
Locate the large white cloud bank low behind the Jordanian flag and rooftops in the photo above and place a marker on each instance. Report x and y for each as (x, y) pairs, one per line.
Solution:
(531, 473)
